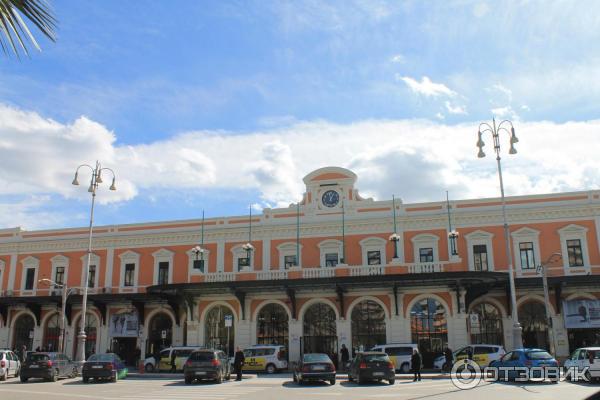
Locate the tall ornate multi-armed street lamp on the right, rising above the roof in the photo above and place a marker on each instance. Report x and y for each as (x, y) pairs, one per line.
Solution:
(495, 131)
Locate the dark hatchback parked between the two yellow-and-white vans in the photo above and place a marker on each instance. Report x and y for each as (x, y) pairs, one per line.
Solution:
(207, 364)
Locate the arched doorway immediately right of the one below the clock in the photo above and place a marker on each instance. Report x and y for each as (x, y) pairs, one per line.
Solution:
(368, 325)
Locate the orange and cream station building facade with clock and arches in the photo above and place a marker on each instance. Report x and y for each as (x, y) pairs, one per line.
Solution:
(320, 274)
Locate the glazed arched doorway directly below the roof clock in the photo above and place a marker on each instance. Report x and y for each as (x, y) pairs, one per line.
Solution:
(319, 331)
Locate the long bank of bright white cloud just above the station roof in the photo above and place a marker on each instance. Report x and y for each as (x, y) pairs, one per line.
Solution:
(414, 159)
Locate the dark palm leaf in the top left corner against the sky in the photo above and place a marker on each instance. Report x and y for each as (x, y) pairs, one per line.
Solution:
(15, 36)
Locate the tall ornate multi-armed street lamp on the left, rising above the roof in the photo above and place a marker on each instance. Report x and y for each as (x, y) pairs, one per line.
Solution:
(94, 182)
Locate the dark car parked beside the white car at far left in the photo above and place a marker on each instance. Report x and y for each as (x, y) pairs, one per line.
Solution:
(49, 366)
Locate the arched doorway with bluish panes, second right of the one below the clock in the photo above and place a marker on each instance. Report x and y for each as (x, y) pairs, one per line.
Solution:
(429, 329)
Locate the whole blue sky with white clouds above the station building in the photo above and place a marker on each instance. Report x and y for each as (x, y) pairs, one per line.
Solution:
(219, 104)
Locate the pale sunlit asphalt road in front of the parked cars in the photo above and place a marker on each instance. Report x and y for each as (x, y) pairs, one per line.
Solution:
(280, 387)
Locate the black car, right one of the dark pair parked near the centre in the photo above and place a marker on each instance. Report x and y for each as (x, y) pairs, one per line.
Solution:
(371, 366)
